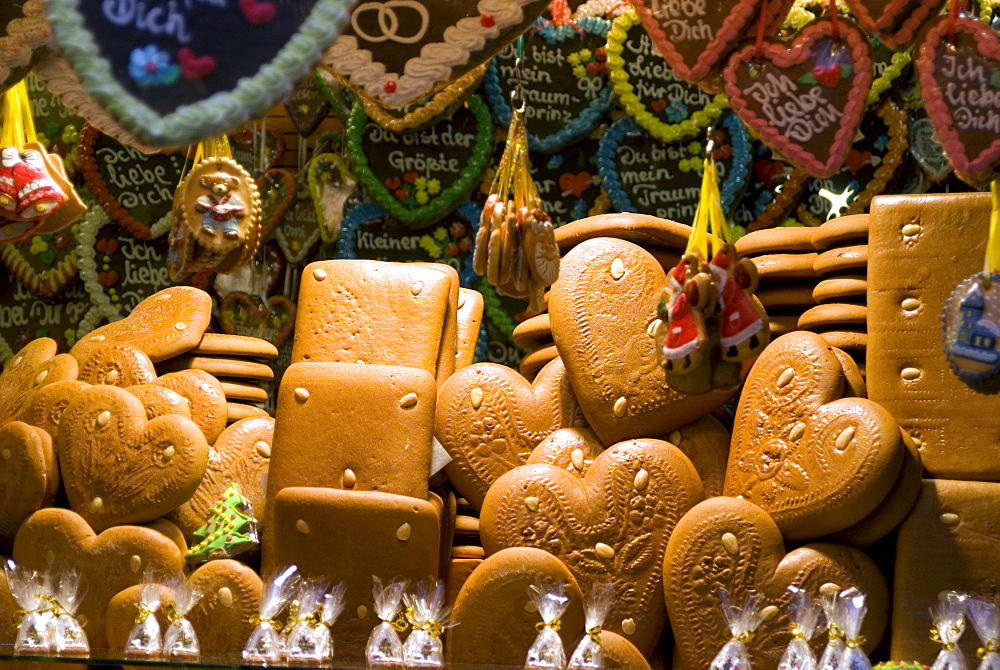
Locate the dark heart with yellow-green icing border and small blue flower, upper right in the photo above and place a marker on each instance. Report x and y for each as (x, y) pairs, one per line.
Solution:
(662, 103)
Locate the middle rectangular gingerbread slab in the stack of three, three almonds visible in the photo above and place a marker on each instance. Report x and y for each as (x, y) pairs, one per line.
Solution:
(355, 427)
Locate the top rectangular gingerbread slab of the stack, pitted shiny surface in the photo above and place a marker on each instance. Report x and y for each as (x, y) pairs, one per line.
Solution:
(352, 311)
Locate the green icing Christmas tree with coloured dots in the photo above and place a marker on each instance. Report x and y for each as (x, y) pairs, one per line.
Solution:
(231, 529)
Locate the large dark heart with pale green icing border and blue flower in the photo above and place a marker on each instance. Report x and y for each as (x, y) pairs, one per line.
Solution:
(167, 77)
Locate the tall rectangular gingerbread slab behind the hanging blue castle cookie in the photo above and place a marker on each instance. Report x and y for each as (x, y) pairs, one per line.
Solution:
(920, 248)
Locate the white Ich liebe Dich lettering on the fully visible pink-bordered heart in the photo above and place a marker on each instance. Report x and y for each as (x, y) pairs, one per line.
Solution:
(798, 115)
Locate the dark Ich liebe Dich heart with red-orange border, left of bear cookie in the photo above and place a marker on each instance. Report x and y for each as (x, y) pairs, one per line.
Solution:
(136, 189)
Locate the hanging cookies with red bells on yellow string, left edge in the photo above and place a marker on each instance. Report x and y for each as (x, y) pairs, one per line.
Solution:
(35, 194)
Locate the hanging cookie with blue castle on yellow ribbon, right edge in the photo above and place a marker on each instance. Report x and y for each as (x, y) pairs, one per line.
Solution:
(971, 317)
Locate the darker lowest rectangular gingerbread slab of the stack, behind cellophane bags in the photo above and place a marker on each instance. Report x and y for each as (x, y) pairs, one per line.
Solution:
(349, 536)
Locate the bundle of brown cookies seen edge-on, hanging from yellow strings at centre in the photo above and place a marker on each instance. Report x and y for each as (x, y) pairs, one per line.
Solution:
(515, 246)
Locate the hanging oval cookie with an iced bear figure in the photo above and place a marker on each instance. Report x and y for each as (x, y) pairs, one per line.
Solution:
(217, 212)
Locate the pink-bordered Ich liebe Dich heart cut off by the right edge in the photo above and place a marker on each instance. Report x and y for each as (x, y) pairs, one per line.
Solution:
(957, 78)
